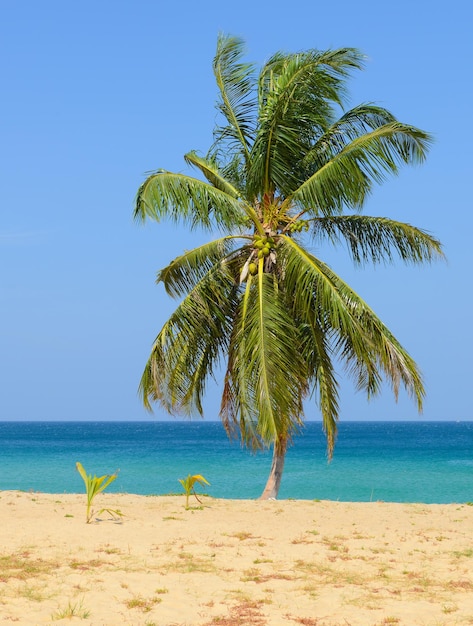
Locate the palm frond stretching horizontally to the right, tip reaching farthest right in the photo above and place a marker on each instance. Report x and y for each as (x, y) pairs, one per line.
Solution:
(376, 239)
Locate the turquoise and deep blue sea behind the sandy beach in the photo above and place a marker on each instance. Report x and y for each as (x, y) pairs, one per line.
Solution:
(429, 462)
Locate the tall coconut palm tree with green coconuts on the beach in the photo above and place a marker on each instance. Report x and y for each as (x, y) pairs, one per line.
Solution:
(288, 166)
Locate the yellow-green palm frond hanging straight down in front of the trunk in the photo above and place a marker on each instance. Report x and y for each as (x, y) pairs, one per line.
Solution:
(266, 375)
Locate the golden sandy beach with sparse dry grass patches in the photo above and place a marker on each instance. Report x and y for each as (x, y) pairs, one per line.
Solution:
(233, 562)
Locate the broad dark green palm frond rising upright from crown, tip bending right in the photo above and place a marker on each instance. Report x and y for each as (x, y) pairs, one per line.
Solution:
(296, 94)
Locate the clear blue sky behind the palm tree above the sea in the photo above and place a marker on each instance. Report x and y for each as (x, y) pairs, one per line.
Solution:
(96, 94)
